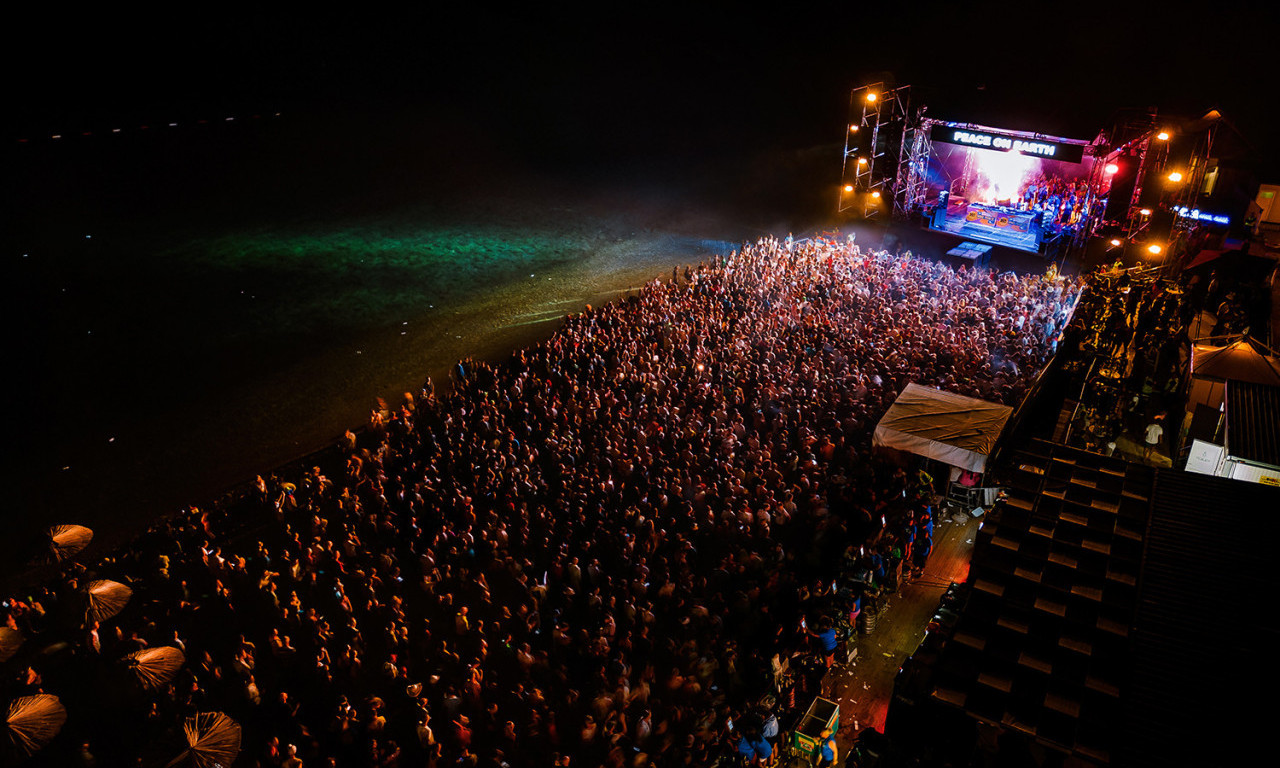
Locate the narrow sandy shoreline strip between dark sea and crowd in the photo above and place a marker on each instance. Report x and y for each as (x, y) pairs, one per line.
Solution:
(214, 456)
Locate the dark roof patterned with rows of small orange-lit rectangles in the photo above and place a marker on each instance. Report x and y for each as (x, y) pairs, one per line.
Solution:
(1041, 644)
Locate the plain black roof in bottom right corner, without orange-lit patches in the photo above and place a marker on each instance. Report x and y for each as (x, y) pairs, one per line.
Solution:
(1203, 666)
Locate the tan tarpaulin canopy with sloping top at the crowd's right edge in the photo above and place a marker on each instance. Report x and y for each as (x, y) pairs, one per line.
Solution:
(950, 428)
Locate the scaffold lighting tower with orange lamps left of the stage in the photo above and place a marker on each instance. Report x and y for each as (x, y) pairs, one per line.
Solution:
(876, 144)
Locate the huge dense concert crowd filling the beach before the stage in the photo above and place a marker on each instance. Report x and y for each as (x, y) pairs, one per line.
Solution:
(593, 554)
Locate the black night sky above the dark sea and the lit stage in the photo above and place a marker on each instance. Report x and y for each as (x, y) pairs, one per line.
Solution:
(634, 83)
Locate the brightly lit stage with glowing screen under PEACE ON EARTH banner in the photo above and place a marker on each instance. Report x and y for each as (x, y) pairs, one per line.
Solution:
(1009, 189)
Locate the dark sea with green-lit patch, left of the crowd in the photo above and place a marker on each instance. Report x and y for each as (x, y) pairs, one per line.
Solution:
(189, 307)
